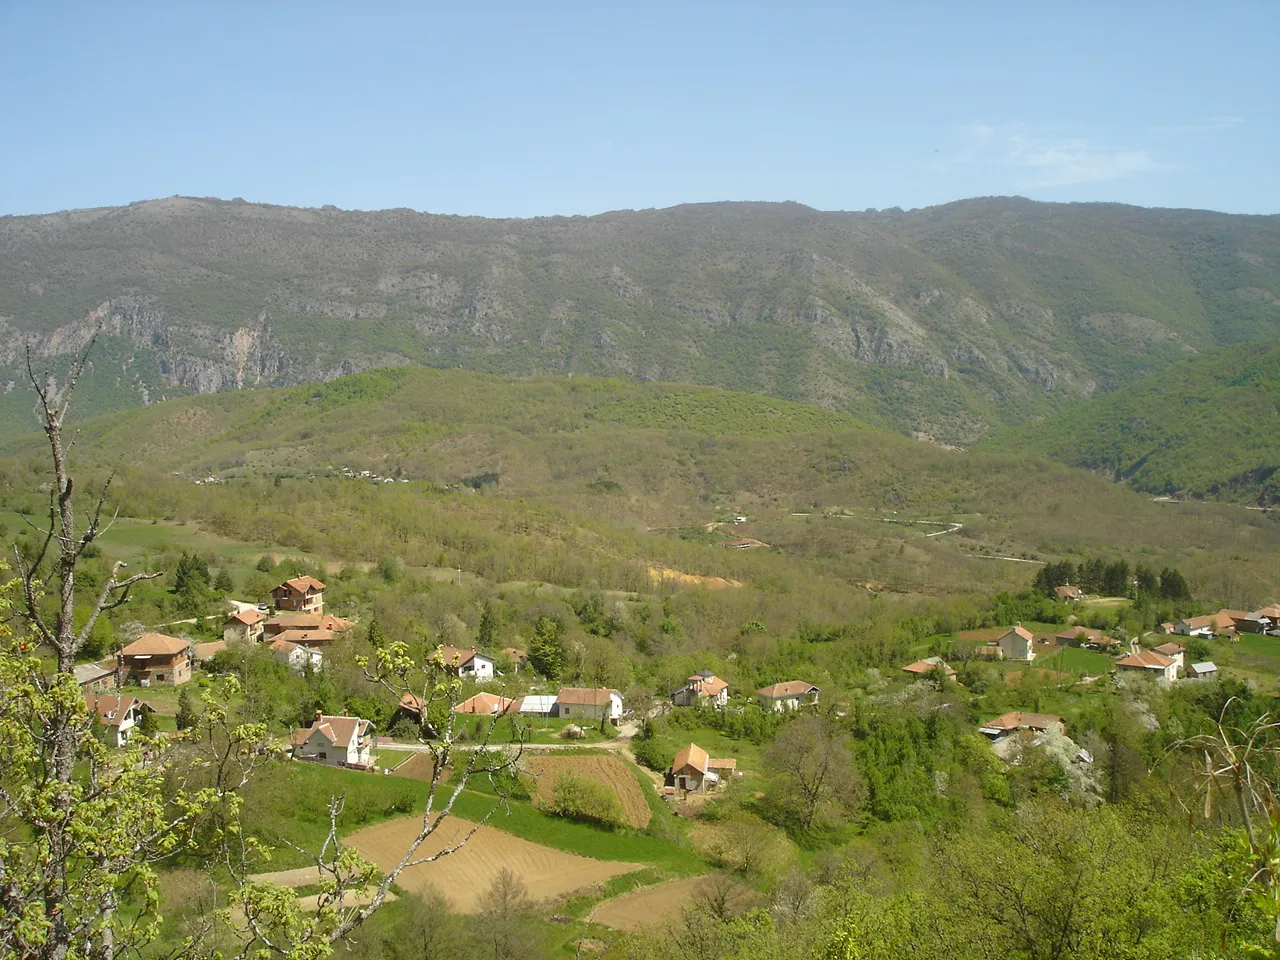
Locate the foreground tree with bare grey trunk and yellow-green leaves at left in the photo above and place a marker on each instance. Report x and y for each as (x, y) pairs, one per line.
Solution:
(85, 828)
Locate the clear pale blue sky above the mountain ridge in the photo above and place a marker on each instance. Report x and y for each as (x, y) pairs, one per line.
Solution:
(540, 108)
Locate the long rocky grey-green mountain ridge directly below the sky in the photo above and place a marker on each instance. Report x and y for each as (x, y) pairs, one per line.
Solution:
(947, 322)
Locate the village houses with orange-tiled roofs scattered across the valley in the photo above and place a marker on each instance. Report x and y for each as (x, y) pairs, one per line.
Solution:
(299, 633)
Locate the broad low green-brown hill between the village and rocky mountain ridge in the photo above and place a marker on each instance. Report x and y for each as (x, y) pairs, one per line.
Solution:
(601, 476)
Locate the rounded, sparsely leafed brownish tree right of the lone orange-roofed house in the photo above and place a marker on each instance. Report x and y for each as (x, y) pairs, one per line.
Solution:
(812, 774)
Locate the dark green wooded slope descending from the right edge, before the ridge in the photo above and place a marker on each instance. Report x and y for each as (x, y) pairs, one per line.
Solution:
(1209, 427)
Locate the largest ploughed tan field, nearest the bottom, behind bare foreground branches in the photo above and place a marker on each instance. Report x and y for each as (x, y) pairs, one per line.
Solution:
(464, 877)
